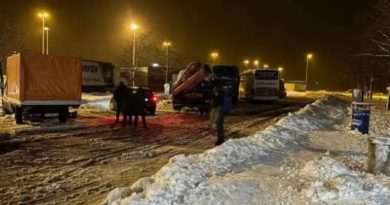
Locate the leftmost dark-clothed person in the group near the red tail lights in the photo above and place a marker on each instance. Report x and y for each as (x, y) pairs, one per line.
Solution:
(120, 97)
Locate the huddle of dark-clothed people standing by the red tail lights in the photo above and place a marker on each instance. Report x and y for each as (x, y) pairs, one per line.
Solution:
(130, 103)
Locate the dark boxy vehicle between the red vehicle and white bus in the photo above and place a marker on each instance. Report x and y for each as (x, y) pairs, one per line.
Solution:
(227, 76)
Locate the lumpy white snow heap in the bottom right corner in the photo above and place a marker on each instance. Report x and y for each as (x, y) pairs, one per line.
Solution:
(331, 182)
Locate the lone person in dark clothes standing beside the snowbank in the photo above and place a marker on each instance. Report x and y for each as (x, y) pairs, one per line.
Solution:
(217, 114)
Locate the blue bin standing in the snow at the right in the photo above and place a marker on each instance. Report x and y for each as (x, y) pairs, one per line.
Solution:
(361, 117)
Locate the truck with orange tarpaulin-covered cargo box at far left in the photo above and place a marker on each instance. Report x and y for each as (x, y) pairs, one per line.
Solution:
(40, 84)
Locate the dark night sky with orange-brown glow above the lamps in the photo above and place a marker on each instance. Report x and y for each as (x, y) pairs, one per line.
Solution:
(278, 32)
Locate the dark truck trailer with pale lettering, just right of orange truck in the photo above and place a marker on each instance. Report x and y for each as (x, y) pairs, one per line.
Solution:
(97, 76)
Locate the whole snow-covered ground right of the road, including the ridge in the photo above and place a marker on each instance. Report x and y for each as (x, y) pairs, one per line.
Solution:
(308, 157)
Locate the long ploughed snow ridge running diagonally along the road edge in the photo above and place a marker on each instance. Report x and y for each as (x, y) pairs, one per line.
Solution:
(176, 181)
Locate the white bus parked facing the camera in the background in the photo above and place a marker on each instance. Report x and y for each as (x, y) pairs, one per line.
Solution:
(264, 85)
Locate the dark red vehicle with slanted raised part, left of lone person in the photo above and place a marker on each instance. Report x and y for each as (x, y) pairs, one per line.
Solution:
(193, 88)
